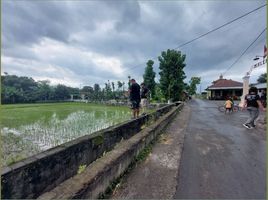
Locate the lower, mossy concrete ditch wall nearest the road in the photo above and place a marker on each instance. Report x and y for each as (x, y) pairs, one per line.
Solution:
(99, 175)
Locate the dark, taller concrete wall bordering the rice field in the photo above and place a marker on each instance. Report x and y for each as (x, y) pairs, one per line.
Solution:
(40, 173)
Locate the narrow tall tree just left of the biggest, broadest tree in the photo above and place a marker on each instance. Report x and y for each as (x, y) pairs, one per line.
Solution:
(148, 77)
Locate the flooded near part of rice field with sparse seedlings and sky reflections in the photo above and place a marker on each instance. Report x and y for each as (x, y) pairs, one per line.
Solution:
(45, 133)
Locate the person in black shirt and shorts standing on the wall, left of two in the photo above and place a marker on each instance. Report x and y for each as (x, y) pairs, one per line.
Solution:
(134, 97)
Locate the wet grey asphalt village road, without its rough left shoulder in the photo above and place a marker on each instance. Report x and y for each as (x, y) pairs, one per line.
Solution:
(221, 159)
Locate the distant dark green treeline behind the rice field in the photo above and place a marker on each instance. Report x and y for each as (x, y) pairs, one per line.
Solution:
(15, 89)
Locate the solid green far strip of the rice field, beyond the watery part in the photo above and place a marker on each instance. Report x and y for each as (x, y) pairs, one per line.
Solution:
(22, 114)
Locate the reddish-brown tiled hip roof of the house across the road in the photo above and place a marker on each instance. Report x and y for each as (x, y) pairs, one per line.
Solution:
(222, 83)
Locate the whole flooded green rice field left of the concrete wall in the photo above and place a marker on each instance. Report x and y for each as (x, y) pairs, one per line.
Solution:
(27, 129)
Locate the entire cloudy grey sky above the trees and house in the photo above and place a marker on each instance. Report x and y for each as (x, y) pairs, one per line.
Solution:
(80, 43)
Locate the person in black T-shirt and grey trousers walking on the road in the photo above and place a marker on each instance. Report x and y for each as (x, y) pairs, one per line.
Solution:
(252, 103)
